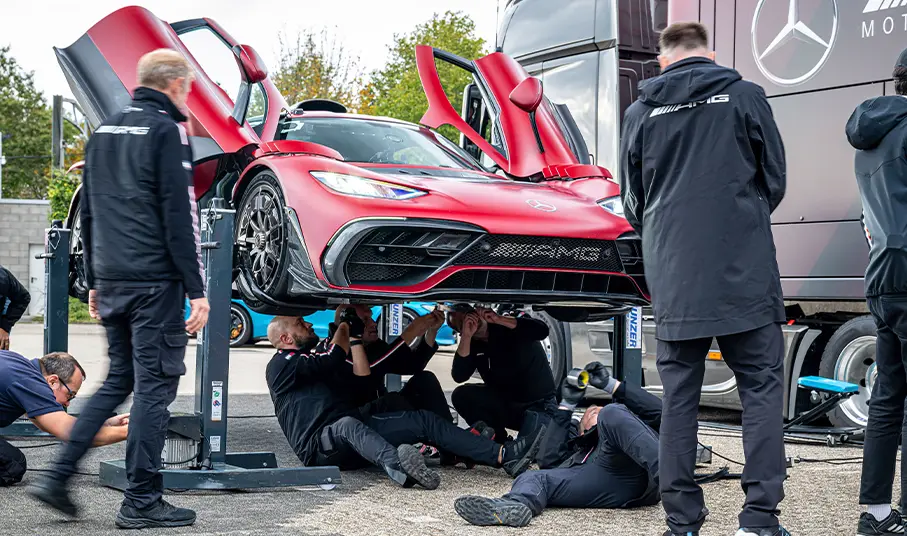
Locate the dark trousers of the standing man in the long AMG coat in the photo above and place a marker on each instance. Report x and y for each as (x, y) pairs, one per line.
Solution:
(757, 359)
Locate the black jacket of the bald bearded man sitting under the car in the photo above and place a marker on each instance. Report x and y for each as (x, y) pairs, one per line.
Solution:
(303, 386)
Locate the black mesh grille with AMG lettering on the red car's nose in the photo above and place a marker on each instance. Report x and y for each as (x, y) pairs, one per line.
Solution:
(543, 252)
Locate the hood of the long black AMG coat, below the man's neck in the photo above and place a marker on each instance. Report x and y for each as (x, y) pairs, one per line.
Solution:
(689, 80)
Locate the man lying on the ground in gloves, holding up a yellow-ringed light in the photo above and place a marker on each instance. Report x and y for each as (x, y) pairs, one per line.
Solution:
(608, 460)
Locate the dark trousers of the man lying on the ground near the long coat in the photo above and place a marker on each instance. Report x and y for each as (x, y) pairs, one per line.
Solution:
(617, 474)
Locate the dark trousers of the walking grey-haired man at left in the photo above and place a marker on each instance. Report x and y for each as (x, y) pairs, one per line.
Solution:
(146, 336)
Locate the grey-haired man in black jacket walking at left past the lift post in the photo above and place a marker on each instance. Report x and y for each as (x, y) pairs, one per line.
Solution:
(142, 258)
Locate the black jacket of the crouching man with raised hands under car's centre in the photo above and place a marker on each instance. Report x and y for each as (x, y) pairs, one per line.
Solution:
(512, 362)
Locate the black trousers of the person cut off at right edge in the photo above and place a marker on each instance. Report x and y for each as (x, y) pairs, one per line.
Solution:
(886, 424)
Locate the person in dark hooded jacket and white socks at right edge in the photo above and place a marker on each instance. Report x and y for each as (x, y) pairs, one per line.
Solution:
(878, 130)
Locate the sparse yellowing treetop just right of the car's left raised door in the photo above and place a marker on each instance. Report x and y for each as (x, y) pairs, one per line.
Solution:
(317, 66)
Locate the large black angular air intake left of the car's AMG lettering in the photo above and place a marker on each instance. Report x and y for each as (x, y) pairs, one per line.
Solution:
(403, 255)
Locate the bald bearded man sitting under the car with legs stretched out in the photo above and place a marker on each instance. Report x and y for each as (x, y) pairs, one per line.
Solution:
(324, 426)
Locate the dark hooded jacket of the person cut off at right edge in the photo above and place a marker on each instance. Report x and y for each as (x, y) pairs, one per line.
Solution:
(878, 130)
